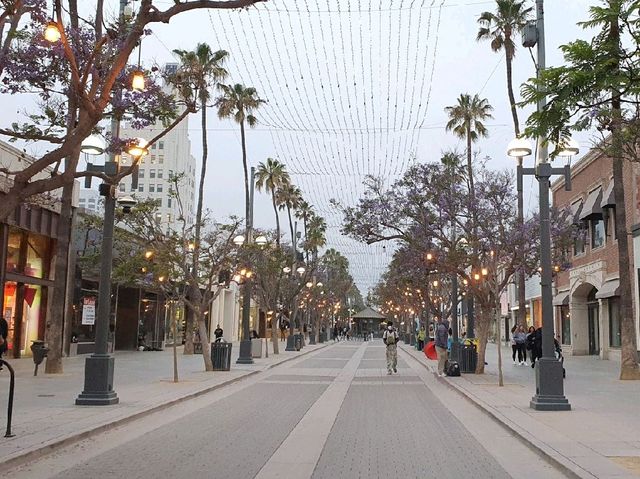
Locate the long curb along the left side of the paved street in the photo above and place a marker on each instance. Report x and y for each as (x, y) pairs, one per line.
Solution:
(45, 449)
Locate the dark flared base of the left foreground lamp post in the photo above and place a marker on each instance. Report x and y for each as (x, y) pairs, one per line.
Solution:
(98, 382)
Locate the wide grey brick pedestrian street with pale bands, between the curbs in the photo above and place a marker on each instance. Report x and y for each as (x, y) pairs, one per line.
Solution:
(331, 414)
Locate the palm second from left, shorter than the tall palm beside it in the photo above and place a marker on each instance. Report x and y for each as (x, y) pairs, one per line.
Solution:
(239, 102)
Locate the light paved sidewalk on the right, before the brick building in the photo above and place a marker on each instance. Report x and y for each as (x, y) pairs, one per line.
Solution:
(598, 438)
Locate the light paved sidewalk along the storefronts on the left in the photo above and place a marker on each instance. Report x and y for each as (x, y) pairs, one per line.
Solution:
(45, 415)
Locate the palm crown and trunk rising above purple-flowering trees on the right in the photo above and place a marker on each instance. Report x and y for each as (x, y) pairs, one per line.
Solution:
(466, 121)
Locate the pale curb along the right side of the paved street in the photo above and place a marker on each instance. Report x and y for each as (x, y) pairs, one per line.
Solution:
(566, 466)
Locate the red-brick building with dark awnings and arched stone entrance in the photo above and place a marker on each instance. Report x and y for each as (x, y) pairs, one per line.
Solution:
(586, 301)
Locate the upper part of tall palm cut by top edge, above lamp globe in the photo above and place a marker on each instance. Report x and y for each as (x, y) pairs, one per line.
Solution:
(499, 28)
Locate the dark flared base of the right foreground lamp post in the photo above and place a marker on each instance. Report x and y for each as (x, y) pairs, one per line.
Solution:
(549, 387)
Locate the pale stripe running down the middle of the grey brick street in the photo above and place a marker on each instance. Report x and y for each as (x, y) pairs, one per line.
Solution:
(298, 455)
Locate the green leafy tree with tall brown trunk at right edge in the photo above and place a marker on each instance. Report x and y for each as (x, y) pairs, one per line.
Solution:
(599, 87)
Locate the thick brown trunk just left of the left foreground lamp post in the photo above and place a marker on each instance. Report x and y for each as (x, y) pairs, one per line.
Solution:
(55, 323)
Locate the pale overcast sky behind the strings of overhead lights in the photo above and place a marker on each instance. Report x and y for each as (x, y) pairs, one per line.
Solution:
(353, 88)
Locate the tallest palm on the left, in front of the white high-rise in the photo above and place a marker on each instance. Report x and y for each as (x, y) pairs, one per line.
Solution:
(200, 70)
